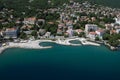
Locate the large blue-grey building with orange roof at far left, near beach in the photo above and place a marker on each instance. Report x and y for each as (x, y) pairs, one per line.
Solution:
(11, 33)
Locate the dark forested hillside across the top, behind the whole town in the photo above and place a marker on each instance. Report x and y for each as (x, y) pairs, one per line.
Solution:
(30, 6)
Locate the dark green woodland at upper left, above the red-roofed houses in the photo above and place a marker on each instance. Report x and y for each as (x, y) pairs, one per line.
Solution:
(25, 8)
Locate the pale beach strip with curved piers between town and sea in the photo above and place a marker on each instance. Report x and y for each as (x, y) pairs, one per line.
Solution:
(35, 44)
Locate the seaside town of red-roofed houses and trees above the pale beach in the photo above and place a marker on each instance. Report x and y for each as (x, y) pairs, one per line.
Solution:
(93, 22)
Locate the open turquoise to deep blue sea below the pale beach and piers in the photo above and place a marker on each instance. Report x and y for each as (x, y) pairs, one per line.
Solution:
(60, 63)
